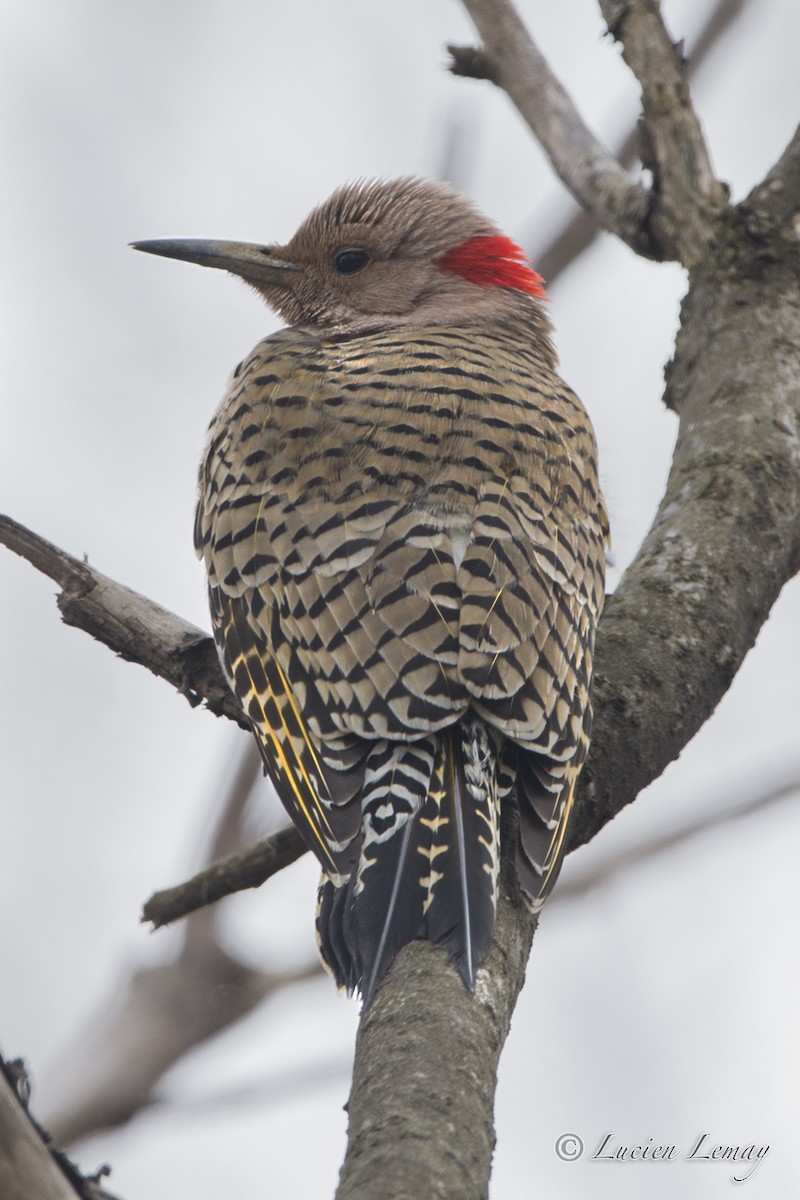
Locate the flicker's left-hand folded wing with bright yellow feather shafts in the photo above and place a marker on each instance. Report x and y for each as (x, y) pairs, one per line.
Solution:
(334, 599)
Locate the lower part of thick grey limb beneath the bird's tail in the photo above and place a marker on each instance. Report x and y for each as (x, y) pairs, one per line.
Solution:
(428, 1052)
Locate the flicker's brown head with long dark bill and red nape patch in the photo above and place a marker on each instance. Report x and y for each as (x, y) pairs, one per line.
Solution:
(381, 255)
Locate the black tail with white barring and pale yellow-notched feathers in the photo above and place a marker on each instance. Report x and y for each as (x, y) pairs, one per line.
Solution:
(429, 860)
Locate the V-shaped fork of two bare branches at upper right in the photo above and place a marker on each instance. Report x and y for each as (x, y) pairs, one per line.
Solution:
(675, 220)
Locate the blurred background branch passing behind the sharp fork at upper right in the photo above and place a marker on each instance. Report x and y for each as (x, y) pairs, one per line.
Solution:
(581, 231)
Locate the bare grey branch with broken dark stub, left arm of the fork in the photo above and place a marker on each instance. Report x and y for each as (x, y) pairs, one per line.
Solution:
(513, 61)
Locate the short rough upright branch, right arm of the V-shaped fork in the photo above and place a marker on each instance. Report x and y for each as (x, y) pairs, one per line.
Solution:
(687, 190)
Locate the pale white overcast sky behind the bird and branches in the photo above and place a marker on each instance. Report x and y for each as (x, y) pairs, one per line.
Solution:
(661, 1005)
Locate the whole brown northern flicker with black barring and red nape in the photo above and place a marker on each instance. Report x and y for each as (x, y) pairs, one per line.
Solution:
(405, 536)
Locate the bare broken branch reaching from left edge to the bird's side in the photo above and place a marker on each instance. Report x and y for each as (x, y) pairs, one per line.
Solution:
(140, 631)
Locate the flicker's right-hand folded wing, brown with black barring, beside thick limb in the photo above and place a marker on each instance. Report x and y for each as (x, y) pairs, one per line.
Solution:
(533, 586)
